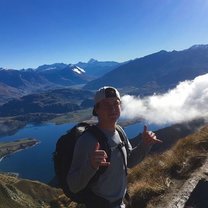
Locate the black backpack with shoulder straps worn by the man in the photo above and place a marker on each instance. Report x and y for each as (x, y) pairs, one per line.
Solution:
(62, 157)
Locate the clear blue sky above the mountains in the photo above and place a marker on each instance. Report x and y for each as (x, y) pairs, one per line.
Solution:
(36, 32)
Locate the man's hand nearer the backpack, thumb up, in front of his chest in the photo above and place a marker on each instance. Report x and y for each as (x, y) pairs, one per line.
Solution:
(98, 157)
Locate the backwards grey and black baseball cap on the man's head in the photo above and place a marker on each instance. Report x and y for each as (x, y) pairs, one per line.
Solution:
(105, 92)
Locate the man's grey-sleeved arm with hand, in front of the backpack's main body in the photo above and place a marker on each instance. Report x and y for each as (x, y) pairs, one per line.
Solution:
(87, 159)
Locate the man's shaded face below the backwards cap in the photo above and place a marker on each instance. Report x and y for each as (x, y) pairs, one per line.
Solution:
(109, 109)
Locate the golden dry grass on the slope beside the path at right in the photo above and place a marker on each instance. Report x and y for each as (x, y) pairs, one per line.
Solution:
(155, 174)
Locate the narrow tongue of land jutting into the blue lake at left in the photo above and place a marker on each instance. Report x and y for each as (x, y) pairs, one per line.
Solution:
(7, 148)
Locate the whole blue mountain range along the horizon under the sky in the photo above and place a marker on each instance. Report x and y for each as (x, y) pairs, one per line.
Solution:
(156, 72)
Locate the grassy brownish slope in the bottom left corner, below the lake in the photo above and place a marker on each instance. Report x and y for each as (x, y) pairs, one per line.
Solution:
(21, 193)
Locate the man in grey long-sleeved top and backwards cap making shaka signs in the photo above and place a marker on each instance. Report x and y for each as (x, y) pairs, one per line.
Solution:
(110, 188)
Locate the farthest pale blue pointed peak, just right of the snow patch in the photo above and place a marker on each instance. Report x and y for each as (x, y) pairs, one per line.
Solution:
(96, 68)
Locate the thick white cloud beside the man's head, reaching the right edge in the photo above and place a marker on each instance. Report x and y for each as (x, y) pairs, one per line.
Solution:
(189, 100)
